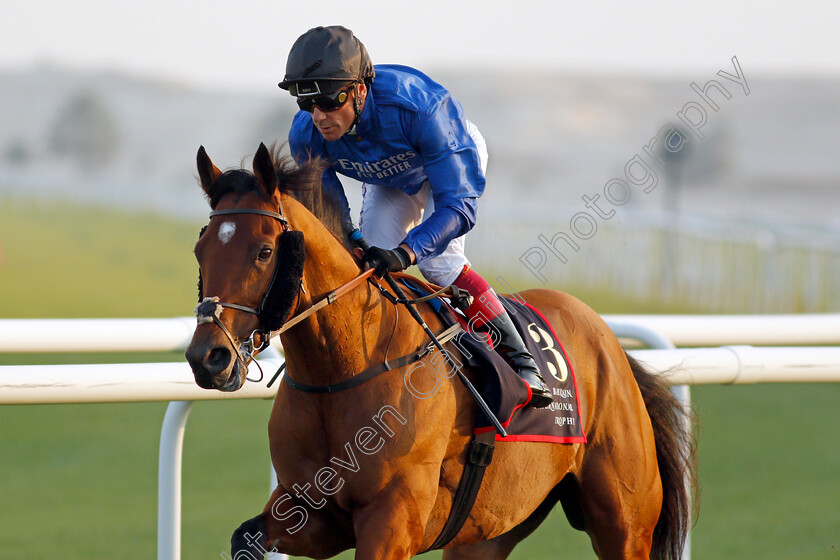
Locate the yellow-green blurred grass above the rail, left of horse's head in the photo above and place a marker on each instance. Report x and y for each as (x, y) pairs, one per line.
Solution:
(59, 260)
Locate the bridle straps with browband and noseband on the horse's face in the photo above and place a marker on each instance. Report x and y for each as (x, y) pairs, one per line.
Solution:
(210, 308)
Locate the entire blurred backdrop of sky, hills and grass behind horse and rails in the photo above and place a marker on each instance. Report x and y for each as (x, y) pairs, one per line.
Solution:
(103, 106)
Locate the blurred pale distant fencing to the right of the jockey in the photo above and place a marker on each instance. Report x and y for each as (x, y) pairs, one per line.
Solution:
(714, 264)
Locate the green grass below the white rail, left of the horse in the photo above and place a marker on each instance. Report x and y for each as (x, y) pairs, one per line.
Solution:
(80, 481)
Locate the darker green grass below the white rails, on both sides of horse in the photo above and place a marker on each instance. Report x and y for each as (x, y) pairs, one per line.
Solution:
(82, 478)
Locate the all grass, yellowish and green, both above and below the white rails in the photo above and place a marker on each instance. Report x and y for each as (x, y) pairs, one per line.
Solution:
(80, 481)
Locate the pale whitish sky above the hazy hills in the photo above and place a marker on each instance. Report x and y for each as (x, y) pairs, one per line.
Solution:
(242, 44)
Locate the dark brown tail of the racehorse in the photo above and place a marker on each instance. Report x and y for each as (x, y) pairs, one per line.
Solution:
(676, 455)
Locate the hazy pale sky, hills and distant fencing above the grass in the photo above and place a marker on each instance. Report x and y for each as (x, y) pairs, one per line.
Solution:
(106, 105)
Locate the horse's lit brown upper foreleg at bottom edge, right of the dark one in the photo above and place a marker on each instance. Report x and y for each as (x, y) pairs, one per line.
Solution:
(393, 526)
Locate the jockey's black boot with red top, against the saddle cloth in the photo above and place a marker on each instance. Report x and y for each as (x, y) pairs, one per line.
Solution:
(486, 312)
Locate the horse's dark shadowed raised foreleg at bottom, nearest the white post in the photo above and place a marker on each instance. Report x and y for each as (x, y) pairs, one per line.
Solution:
(292, 526)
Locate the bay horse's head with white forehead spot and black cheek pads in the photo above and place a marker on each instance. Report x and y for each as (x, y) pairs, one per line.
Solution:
(250, 266)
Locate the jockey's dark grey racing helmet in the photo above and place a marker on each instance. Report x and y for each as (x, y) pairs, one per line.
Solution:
(324, 60)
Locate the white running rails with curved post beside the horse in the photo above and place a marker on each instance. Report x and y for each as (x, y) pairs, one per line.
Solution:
(174, 381)
